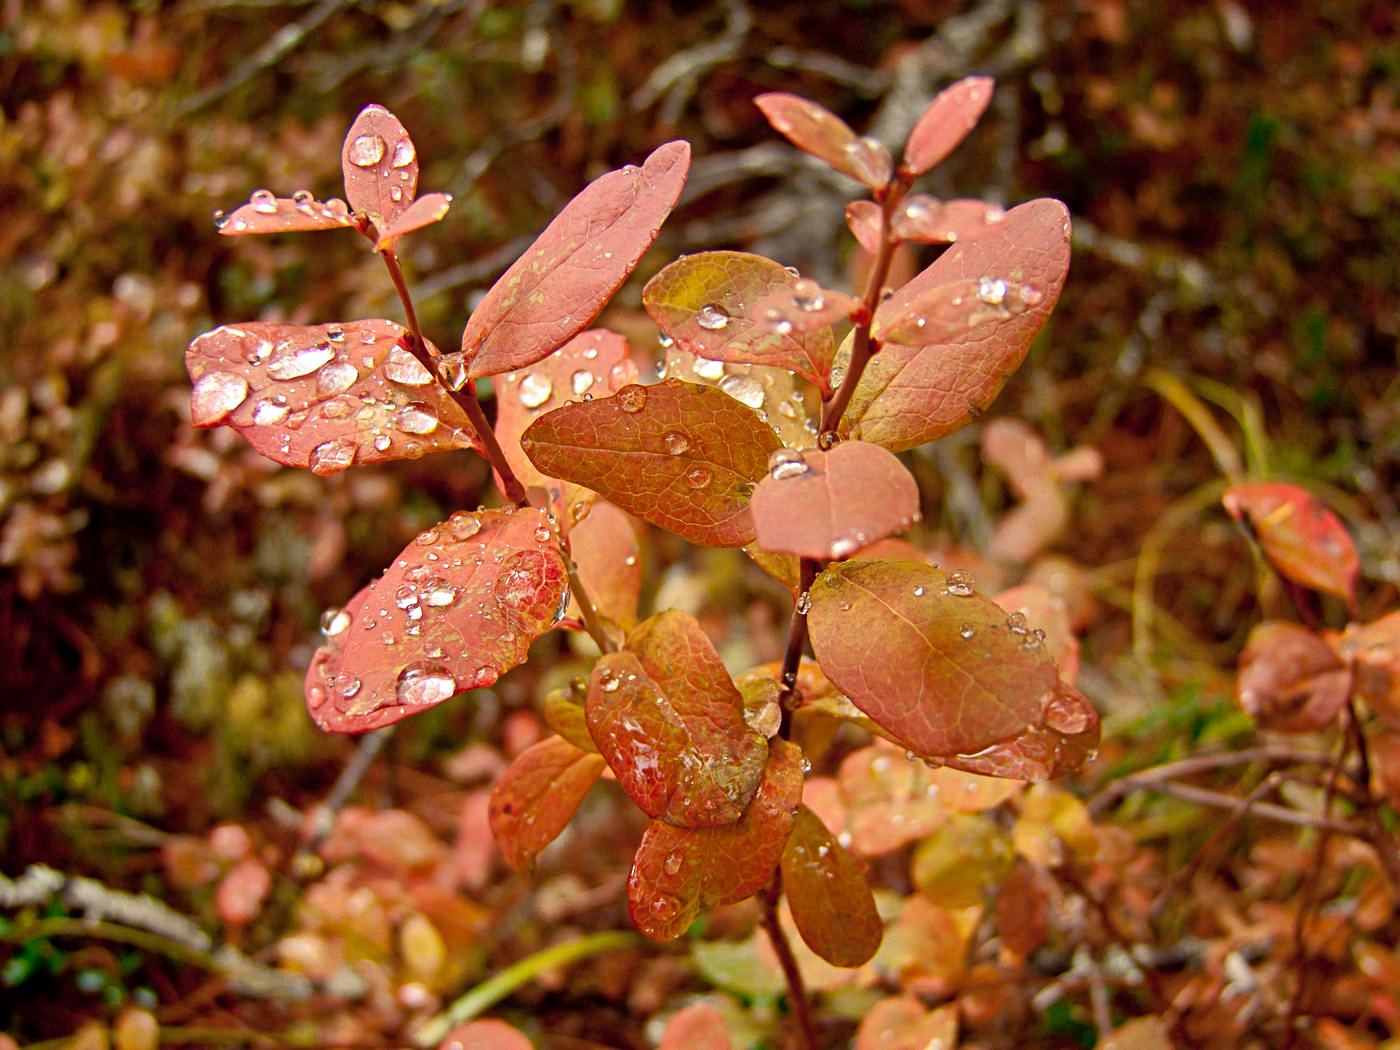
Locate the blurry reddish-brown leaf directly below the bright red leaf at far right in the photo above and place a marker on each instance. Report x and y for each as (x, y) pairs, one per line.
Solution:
(1290, 678)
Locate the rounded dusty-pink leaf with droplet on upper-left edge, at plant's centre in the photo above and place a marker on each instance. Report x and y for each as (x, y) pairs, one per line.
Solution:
(831, 505)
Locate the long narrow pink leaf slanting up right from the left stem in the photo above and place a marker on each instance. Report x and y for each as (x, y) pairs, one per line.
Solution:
(559, 286)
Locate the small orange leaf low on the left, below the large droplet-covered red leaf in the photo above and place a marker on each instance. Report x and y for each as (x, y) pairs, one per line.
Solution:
(538, 796)
